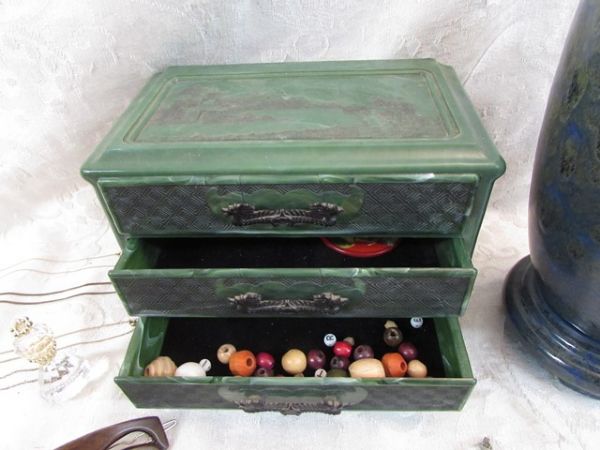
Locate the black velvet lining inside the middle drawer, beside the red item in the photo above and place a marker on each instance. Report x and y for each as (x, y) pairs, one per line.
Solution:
(176, 253)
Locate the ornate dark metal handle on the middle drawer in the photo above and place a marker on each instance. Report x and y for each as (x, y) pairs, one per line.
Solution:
(251, 302)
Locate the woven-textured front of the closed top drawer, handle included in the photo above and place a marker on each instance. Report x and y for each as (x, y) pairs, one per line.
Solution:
(438, 205)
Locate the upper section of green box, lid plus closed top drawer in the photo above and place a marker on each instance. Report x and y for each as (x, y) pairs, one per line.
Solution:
(358, 147)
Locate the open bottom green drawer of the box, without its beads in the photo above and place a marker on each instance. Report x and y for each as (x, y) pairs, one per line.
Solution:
(439, 342)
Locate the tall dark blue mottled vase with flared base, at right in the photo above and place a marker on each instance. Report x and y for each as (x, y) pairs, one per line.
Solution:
(553, 295)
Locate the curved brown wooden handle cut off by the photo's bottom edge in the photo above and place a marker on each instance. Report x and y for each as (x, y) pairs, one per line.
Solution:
(103, 438)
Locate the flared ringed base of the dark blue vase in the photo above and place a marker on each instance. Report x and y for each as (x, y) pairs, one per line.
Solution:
(562, 349)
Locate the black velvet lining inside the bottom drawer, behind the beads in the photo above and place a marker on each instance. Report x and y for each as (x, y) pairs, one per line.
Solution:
(192, 339)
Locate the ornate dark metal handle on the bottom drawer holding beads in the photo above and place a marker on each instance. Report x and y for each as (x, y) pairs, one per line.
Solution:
(255, 403)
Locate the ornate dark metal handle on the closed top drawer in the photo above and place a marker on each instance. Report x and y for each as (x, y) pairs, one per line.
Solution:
(243, 214)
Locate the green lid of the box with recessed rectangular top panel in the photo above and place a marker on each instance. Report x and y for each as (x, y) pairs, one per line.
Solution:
(298, 118)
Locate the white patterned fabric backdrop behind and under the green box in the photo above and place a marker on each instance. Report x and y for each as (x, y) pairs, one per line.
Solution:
(69, 68)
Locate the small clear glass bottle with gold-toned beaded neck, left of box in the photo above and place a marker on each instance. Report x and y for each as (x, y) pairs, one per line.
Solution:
(61, 375)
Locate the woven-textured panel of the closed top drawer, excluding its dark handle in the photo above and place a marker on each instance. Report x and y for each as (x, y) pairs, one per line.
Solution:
(404, 208)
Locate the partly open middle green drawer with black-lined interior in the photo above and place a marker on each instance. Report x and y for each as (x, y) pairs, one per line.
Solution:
(237, 277)
